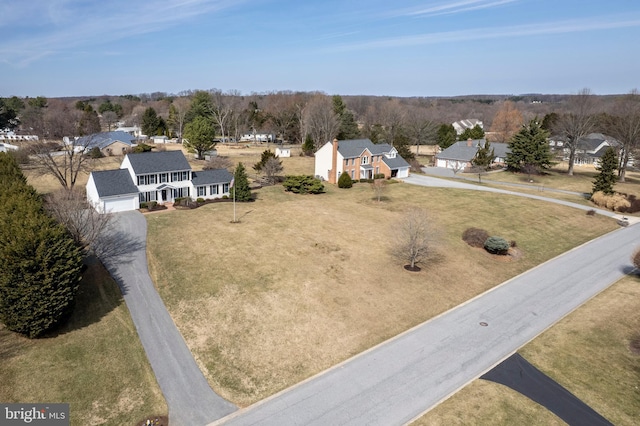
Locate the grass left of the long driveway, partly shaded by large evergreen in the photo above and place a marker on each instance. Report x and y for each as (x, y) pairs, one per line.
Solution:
(95, 362)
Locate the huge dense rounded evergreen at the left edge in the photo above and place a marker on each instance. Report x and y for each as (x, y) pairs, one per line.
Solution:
(40, 263)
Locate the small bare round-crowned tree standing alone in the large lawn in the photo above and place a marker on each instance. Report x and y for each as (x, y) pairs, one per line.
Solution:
(413, 239)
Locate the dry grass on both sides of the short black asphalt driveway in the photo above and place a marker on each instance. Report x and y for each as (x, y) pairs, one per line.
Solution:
(587, 352)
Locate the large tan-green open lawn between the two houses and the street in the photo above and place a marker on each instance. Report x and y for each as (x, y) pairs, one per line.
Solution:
(304, 282)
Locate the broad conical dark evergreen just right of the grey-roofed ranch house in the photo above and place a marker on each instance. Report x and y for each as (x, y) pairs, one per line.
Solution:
(529, 148)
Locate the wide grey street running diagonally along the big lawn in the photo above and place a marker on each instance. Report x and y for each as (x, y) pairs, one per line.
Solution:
(397, 381)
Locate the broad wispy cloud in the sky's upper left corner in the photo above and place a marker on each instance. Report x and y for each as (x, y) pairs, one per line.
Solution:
(68, 24)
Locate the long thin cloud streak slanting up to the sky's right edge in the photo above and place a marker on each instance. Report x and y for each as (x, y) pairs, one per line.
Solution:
(560, 27)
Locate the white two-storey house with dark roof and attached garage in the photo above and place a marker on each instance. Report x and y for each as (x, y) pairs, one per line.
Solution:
(153, 176)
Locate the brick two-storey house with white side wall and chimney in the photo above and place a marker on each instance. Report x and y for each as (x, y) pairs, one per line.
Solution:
(360, 158)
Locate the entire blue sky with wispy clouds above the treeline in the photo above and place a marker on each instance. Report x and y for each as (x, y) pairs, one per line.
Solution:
(398, 48)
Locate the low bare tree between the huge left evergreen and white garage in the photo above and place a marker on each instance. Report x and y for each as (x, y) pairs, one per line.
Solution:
(85, 224)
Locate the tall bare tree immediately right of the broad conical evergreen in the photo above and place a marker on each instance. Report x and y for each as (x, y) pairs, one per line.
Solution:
(576, 124)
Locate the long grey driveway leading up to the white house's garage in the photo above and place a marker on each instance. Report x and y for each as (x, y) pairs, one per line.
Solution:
(190, 399)
